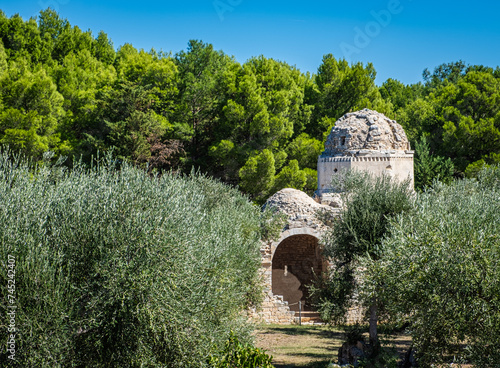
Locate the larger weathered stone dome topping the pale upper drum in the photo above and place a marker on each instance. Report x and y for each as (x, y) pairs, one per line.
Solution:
(365, 130)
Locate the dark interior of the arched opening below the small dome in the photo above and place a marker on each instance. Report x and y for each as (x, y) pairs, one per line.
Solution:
(296, 260)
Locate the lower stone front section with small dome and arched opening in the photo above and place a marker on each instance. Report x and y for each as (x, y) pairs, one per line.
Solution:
(300, 250)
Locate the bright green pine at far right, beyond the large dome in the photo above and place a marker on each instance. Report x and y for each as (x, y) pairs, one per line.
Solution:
(458, 111)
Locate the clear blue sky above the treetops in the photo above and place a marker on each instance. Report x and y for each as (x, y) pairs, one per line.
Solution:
(400, 37)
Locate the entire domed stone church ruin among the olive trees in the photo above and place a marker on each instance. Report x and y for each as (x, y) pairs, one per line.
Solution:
(362, 140)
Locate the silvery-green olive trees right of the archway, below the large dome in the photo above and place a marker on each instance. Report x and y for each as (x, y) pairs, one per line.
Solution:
(426, 260)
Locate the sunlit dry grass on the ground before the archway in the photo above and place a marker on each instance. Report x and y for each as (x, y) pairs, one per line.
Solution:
(309, 346)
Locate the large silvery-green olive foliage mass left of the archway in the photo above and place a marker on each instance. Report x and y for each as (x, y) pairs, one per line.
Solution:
(114, 268)
